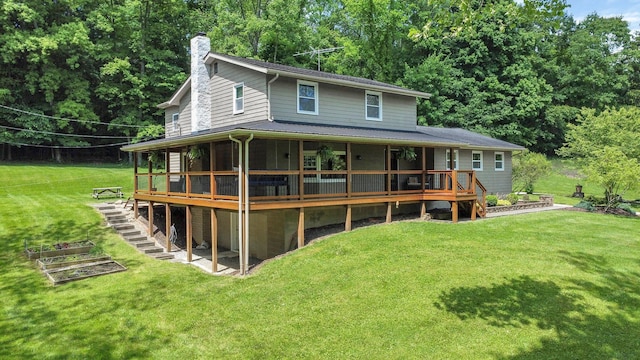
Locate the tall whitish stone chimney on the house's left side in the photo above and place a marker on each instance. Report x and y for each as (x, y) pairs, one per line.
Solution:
(200, 93)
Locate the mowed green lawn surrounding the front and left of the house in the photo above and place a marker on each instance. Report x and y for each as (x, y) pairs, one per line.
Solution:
(562, 285)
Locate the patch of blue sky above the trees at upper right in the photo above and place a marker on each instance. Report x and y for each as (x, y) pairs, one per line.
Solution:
(628, 9)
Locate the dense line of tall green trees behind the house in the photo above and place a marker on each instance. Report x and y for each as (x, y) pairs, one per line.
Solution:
(521, 73)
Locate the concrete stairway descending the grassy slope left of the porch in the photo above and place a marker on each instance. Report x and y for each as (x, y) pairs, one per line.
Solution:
(118, 218)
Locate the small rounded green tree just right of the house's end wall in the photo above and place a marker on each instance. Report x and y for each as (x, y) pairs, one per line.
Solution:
(528, 167)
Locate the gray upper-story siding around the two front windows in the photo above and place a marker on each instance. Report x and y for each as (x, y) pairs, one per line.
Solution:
(344, 106)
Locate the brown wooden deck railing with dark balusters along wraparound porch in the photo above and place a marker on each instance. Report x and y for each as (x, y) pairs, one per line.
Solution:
(270, 185)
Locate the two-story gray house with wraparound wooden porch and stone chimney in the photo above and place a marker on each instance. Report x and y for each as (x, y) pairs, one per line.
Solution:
(255, 153)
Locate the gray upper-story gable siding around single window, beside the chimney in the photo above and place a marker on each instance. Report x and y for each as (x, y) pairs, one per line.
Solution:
(222, 86)
